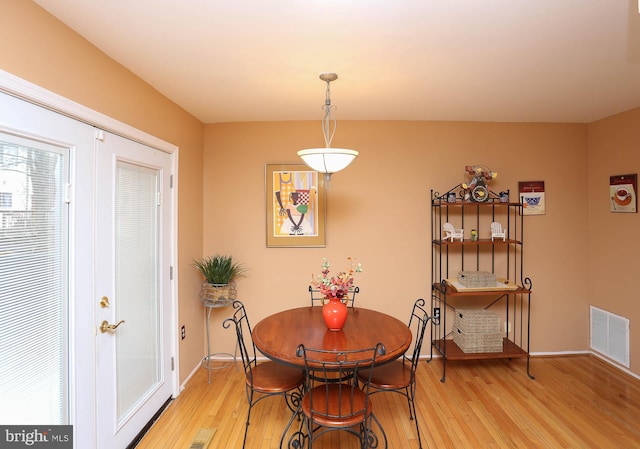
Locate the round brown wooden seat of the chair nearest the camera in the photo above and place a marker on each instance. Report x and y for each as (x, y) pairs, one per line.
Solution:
(330, 410)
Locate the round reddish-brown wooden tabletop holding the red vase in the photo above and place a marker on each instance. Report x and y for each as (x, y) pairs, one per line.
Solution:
(278, 336)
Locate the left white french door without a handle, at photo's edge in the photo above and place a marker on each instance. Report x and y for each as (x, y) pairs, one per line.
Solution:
(47, 239)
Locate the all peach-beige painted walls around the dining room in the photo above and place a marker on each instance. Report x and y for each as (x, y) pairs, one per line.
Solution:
(378, 209)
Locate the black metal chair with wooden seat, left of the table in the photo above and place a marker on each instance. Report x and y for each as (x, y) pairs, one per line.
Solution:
(266, 378)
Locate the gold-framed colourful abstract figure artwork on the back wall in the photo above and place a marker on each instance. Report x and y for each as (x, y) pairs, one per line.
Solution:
(295, 198)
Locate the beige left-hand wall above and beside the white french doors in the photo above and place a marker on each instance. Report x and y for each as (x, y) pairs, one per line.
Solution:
(38, 48)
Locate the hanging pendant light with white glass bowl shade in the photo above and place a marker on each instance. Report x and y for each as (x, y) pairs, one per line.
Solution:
(328, 160)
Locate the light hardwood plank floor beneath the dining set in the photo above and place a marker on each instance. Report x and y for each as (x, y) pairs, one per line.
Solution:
(574, 402)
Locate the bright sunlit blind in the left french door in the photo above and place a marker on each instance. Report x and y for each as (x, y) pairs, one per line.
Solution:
(33, 283)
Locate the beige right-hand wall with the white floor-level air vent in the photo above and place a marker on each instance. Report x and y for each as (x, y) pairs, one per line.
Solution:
(614, 238)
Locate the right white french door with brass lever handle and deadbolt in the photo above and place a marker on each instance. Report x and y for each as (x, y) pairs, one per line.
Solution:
(132, 287)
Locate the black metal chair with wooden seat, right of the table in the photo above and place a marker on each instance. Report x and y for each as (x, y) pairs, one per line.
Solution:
(400, 376)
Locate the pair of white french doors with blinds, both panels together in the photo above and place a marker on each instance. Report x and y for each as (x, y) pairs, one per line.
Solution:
(93, 225)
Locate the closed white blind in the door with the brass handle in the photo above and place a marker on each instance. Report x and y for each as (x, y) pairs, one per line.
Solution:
(136, 267)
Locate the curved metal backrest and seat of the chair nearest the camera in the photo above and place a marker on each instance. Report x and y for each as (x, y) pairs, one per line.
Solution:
(329, 397)
